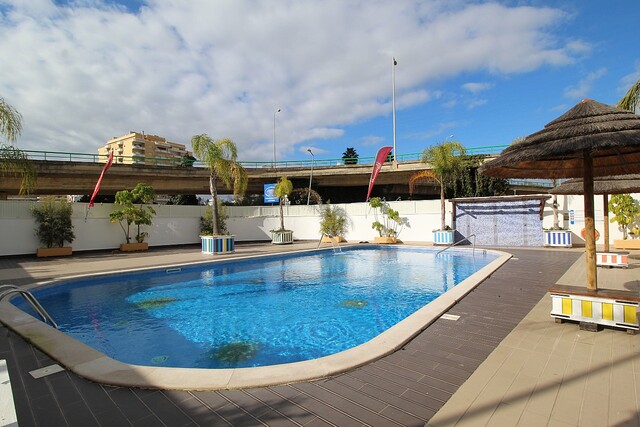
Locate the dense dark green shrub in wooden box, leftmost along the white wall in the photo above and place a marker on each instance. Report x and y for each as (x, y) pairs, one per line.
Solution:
(54, 227)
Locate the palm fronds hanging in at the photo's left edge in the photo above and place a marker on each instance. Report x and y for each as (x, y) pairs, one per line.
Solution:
(14, 161)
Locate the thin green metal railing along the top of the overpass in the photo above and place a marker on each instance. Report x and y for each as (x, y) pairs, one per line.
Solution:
(282, 164)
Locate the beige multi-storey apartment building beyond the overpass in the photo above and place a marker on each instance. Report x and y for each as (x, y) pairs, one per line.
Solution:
(141, 148)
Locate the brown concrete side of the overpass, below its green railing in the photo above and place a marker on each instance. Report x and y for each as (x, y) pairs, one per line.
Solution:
(78, 177)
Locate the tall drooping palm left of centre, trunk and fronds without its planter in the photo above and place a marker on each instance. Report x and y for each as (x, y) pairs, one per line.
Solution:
(221, 157)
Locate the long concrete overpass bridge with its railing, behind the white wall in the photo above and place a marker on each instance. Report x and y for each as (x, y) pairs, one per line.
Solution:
(73, 173)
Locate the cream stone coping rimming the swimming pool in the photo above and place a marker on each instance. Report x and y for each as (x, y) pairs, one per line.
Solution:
(95, 366)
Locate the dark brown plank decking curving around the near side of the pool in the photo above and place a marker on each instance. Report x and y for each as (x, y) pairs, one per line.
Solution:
(406, 388)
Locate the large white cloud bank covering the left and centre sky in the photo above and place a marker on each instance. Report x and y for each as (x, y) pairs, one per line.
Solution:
(83, 74)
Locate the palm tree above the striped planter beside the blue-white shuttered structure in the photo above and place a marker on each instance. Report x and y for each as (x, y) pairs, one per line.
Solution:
(446, 160)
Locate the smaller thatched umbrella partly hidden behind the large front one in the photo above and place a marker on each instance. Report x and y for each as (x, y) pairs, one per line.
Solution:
(604, 185)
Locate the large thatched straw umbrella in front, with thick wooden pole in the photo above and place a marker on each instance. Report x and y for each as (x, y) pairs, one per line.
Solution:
(591, 139)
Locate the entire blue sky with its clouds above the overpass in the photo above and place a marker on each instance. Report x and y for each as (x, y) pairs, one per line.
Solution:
(81, 72)
